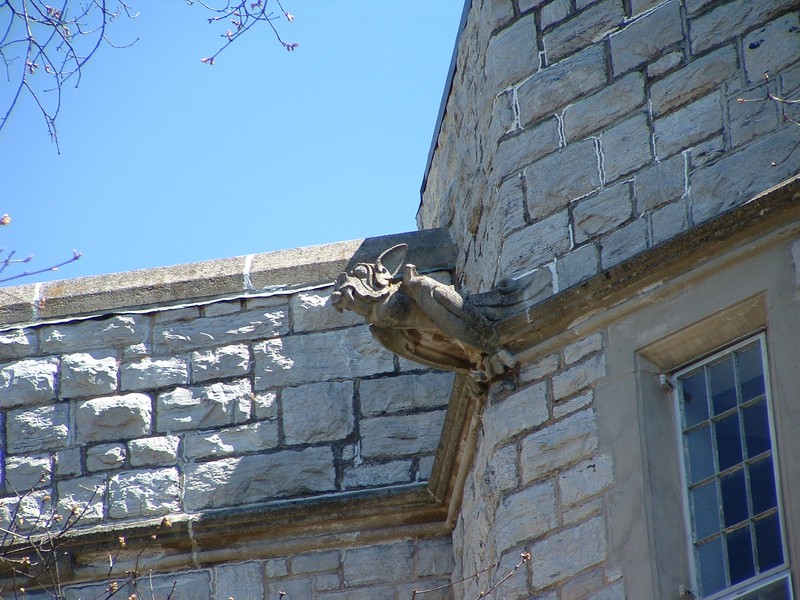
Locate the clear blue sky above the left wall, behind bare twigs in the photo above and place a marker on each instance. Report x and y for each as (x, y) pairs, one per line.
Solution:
(165, 160)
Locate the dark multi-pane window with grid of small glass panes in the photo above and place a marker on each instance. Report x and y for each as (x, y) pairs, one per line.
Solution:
(731, 480)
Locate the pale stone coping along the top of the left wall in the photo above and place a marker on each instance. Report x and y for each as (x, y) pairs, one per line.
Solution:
(271, 272)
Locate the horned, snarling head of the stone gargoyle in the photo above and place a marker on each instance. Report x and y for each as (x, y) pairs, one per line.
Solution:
(367, 284)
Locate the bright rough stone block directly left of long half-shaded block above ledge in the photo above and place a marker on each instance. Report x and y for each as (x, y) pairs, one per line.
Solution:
(144, 493)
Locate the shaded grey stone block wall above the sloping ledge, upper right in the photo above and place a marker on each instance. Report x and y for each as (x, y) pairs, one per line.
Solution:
(578, 134)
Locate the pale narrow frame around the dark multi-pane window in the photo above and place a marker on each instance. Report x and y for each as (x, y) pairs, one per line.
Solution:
(759, 580)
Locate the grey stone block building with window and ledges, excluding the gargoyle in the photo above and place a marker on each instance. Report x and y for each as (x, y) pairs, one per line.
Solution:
(639, 440)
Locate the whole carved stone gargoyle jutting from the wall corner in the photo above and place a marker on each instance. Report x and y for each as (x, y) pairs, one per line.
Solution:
(420, 318)
